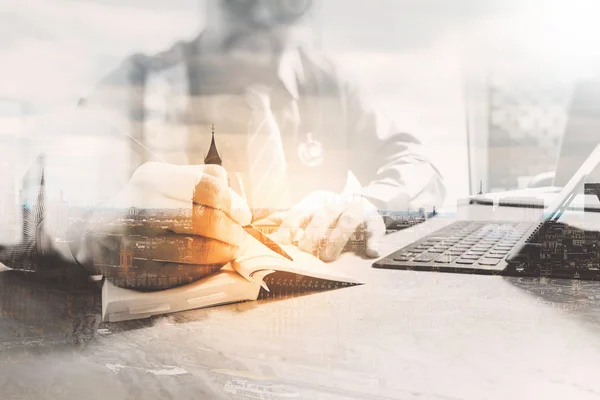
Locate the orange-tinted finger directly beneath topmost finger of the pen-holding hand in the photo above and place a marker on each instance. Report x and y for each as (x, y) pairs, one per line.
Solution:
(216, 224)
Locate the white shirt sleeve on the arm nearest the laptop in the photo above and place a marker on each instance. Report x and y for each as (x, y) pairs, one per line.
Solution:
(391, 165)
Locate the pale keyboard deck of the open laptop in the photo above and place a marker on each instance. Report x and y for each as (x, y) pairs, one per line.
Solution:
(463, 245)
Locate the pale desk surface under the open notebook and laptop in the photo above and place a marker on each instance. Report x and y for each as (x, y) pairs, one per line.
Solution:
(403, 335)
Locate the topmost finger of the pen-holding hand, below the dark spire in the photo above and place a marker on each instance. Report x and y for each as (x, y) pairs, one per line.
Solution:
(212, 192)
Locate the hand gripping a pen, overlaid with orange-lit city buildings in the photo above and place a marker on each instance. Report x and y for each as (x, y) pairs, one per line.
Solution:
(193, 247)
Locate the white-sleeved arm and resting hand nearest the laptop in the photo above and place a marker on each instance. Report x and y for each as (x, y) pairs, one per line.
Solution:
(389, 165)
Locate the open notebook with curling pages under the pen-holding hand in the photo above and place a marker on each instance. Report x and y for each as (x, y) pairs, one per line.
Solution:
(240, 280)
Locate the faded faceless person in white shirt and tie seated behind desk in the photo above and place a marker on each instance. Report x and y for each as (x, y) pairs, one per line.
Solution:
(291, 133)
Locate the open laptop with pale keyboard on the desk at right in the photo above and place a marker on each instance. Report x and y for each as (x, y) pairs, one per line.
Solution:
(510, 247)
